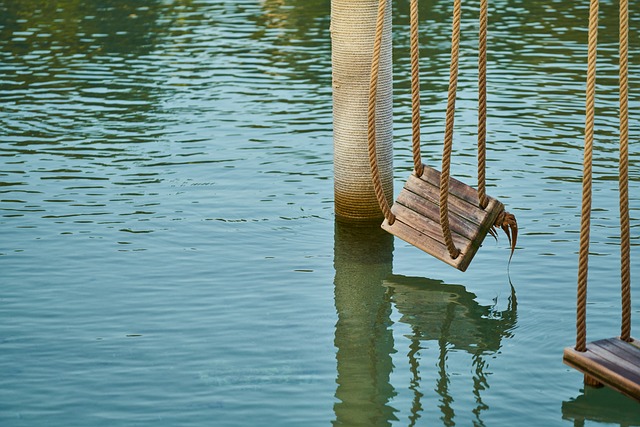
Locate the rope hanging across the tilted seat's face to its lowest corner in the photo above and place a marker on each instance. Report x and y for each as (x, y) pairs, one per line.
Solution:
(448, 135)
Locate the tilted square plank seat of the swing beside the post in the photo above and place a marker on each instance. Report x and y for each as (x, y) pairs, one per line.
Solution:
(417, 217)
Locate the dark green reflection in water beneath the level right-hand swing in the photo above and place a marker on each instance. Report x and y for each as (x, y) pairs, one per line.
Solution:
(601, 405)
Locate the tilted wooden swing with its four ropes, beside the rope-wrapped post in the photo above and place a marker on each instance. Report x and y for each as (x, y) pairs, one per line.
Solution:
(434, 212)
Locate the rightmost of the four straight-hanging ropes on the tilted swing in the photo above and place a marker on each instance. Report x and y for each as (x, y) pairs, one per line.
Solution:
(482, 104)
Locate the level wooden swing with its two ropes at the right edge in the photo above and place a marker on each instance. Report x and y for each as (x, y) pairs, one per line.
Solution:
(614, 362)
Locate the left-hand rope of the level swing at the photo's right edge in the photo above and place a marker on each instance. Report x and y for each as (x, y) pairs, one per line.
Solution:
(583, 262)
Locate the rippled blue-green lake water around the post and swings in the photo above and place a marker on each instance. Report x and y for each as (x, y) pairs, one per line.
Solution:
(169, 254)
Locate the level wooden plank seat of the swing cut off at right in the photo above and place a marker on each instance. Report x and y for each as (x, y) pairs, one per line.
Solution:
(611, 362)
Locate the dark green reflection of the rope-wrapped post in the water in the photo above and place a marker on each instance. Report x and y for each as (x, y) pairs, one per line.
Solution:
(364, 339)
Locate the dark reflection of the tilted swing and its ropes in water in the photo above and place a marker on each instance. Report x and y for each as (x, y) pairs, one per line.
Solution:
(450, 316)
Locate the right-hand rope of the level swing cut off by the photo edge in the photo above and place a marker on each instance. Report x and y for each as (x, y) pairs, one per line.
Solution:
(625, 246)
